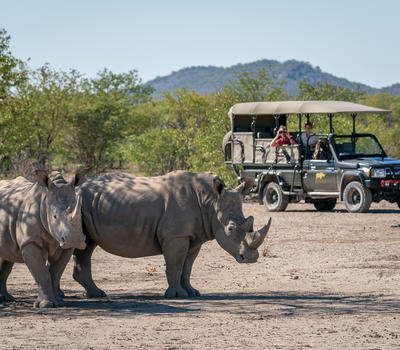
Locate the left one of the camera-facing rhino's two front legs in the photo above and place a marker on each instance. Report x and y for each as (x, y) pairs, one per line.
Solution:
(36, 264)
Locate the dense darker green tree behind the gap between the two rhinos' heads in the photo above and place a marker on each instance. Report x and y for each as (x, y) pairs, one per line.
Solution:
(105, 112)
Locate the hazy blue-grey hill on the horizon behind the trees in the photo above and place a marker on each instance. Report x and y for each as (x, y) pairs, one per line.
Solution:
(208, 79)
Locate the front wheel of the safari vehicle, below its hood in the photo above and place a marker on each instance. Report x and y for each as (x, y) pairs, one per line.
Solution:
(357, 197)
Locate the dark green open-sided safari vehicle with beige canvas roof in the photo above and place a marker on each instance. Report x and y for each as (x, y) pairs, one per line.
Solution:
(357, 171)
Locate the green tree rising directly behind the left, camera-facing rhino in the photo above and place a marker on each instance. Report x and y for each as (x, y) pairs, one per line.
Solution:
(36, 115)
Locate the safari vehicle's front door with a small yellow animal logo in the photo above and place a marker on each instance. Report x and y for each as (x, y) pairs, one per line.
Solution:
(320, 175)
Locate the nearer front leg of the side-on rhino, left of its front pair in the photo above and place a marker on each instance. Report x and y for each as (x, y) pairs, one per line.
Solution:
(175, 252)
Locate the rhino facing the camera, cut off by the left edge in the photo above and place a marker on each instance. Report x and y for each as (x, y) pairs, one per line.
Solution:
(40, 224)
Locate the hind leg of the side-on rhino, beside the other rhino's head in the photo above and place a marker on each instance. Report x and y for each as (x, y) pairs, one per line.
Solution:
(83, 271)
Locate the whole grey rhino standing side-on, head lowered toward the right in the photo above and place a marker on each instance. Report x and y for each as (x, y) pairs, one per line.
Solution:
(171, 215)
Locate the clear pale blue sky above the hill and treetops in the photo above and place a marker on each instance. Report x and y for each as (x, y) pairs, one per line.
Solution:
(354, 39)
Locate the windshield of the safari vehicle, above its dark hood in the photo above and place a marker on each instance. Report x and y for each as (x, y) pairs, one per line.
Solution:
(357, 146)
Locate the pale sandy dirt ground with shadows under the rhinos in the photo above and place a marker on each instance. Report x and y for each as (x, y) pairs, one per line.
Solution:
(323, 280)
